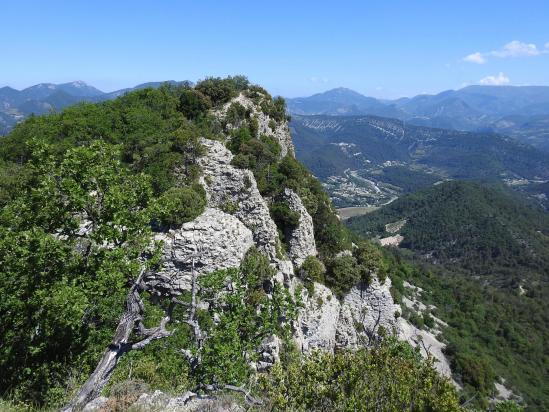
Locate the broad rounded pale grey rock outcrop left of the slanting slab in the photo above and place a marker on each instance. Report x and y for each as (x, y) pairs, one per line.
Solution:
(216, 239)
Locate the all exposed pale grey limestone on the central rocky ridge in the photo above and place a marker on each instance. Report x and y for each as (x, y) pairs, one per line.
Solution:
(237, 218)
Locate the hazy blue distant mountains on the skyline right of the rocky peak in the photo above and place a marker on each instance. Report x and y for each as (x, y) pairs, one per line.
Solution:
(518, 111)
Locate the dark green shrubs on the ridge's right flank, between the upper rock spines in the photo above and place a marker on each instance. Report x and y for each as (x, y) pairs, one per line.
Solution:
(261, 154)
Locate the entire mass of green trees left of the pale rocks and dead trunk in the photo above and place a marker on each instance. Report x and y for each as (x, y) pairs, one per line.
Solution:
(80, 193)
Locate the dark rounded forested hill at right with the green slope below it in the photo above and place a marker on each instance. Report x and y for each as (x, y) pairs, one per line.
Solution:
(488, 254)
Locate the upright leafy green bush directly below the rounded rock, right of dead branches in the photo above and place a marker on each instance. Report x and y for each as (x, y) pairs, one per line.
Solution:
(247, 315)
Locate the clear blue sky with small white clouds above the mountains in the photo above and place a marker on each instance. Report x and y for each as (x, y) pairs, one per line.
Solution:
(293, 48)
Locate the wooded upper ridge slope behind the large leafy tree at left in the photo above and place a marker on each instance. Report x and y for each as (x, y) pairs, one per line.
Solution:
(154, 135)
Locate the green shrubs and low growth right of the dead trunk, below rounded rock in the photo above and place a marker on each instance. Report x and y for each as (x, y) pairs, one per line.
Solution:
(245, 317)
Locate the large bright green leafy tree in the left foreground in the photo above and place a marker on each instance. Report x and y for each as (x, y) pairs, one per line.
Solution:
(62, 293)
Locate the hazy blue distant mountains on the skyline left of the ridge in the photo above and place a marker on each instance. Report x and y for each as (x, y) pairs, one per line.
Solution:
(43, 98)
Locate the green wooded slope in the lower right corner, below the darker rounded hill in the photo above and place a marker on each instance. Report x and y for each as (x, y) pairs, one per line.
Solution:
(491, 331)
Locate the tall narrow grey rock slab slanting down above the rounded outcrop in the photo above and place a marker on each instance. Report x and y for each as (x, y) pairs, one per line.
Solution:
(235, 190)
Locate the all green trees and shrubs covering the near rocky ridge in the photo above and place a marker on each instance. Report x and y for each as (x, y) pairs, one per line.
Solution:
(81, 193)
